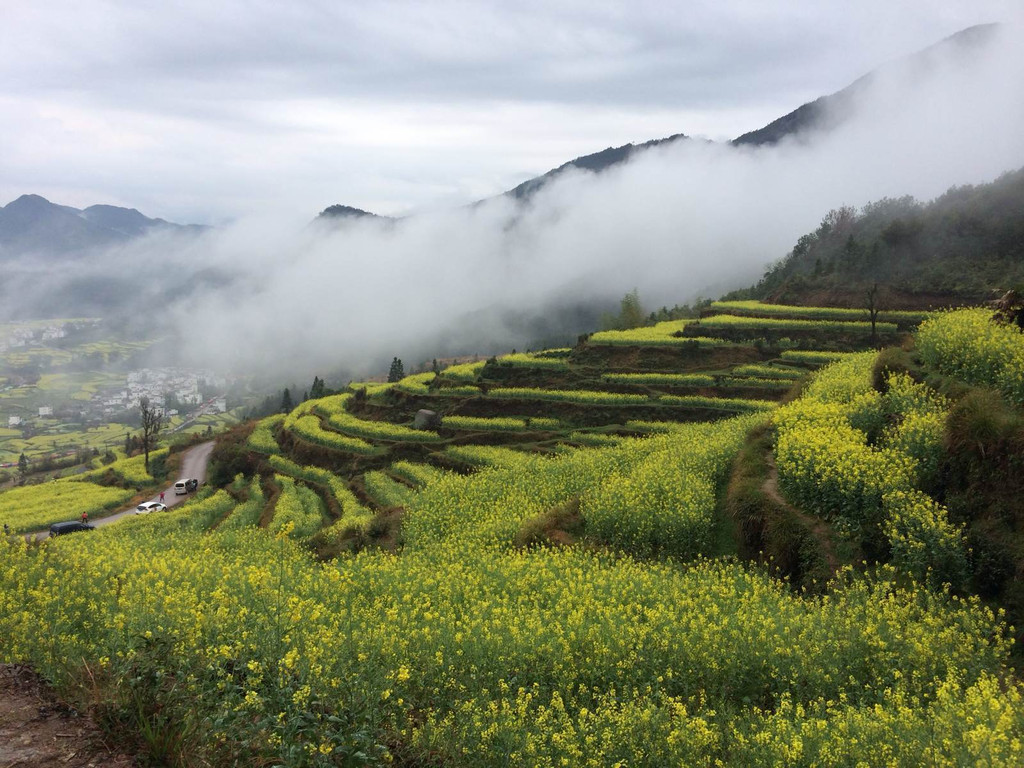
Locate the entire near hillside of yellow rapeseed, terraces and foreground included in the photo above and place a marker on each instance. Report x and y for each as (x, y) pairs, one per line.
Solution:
(565, 572)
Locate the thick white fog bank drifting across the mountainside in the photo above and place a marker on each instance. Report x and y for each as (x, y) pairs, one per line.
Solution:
(688, 220)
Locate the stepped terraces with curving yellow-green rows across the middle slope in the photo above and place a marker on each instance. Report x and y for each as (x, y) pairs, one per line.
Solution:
(614, 388)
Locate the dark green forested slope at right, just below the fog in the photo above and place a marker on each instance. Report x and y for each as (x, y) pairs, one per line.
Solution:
(967, 245)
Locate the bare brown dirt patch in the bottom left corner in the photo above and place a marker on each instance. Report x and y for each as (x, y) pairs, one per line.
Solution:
(39, 731)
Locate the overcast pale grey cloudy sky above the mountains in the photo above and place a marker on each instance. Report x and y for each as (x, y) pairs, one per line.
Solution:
(209, 113)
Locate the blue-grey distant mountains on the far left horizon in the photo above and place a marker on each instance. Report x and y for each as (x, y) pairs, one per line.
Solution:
(34, 226)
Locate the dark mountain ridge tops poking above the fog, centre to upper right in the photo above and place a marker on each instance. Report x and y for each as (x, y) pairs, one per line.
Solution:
(827, 113)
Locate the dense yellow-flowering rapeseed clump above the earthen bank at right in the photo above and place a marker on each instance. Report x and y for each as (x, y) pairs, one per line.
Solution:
(828, 464)
